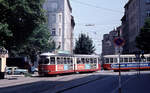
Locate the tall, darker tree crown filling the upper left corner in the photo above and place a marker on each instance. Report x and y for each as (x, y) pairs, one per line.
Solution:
(20, 18)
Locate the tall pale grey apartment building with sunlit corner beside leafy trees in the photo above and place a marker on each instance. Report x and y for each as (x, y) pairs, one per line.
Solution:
(60, 23)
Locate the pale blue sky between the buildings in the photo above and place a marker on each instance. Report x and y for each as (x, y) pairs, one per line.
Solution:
(102, 15)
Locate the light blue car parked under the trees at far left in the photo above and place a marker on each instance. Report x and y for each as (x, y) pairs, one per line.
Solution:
(15, 70)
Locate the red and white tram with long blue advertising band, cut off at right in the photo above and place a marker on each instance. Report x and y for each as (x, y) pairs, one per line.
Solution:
(127, 62)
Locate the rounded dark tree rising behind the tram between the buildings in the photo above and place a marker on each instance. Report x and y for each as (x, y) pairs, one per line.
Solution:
(84, 45)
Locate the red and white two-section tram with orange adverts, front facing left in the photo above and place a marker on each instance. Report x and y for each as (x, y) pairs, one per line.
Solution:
(52, 64)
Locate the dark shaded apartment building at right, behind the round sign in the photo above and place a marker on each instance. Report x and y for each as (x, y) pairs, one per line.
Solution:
(136, 11)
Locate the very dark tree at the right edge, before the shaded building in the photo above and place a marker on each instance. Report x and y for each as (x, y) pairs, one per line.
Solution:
(143, 39)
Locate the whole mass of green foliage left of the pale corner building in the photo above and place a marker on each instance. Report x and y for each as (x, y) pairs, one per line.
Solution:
(22, 27)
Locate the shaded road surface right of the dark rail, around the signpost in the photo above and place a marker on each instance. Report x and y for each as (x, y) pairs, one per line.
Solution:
(130, 84)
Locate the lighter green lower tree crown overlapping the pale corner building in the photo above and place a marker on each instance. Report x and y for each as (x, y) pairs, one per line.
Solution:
(39, 41)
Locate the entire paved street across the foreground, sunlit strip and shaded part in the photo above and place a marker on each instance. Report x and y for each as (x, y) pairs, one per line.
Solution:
(101, 82)
